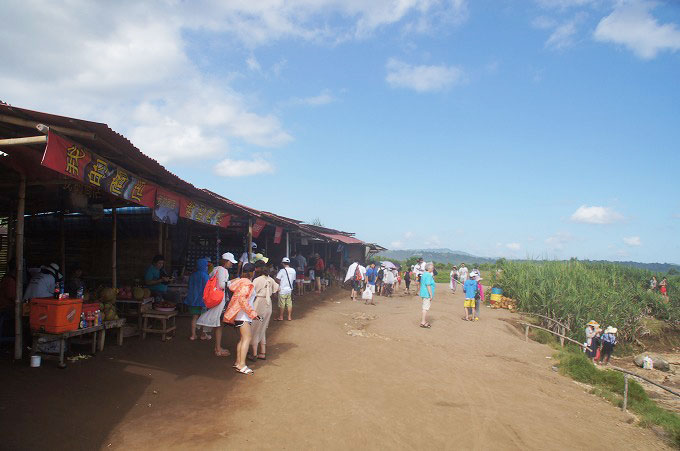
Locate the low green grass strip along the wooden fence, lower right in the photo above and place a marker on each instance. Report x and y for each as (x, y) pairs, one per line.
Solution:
(609, 384)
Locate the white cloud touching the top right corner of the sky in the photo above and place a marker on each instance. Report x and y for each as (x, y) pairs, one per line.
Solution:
(632, 25)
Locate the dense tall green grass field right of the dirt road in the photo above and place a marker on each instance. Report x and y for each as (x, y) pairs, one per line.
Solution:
(575, 292)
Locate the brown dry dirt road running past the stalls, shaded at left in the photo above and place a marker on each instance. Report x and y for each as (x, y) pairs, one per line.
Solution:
(341, 375)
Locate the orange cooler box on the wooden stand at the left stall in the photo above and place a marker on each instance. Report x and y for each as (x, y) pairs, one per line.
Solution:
(55, 316)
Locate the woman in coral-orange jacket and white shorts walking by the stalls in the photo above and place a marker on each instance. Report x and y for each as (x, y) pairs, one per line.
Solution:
(240, 314)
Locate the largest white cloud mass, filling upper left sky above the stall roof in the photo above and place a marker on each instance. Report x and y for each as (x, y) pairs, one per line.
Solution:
(128, 63)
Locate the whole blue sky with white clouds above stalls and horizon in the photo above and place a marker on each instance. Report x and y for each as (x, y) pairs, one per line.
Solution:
(544, 128)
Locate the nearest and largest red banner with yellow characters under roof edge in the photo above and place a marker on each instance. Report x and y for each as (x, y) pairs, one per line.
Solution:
(75, 161)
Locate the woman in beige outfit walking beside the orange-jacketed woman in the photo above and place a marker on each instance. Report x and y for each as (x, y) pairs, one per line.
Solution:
(265, 286)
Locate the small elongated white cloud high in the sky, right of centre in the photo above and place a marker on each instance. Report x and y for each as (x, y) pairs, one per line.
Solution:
(422, 78)
